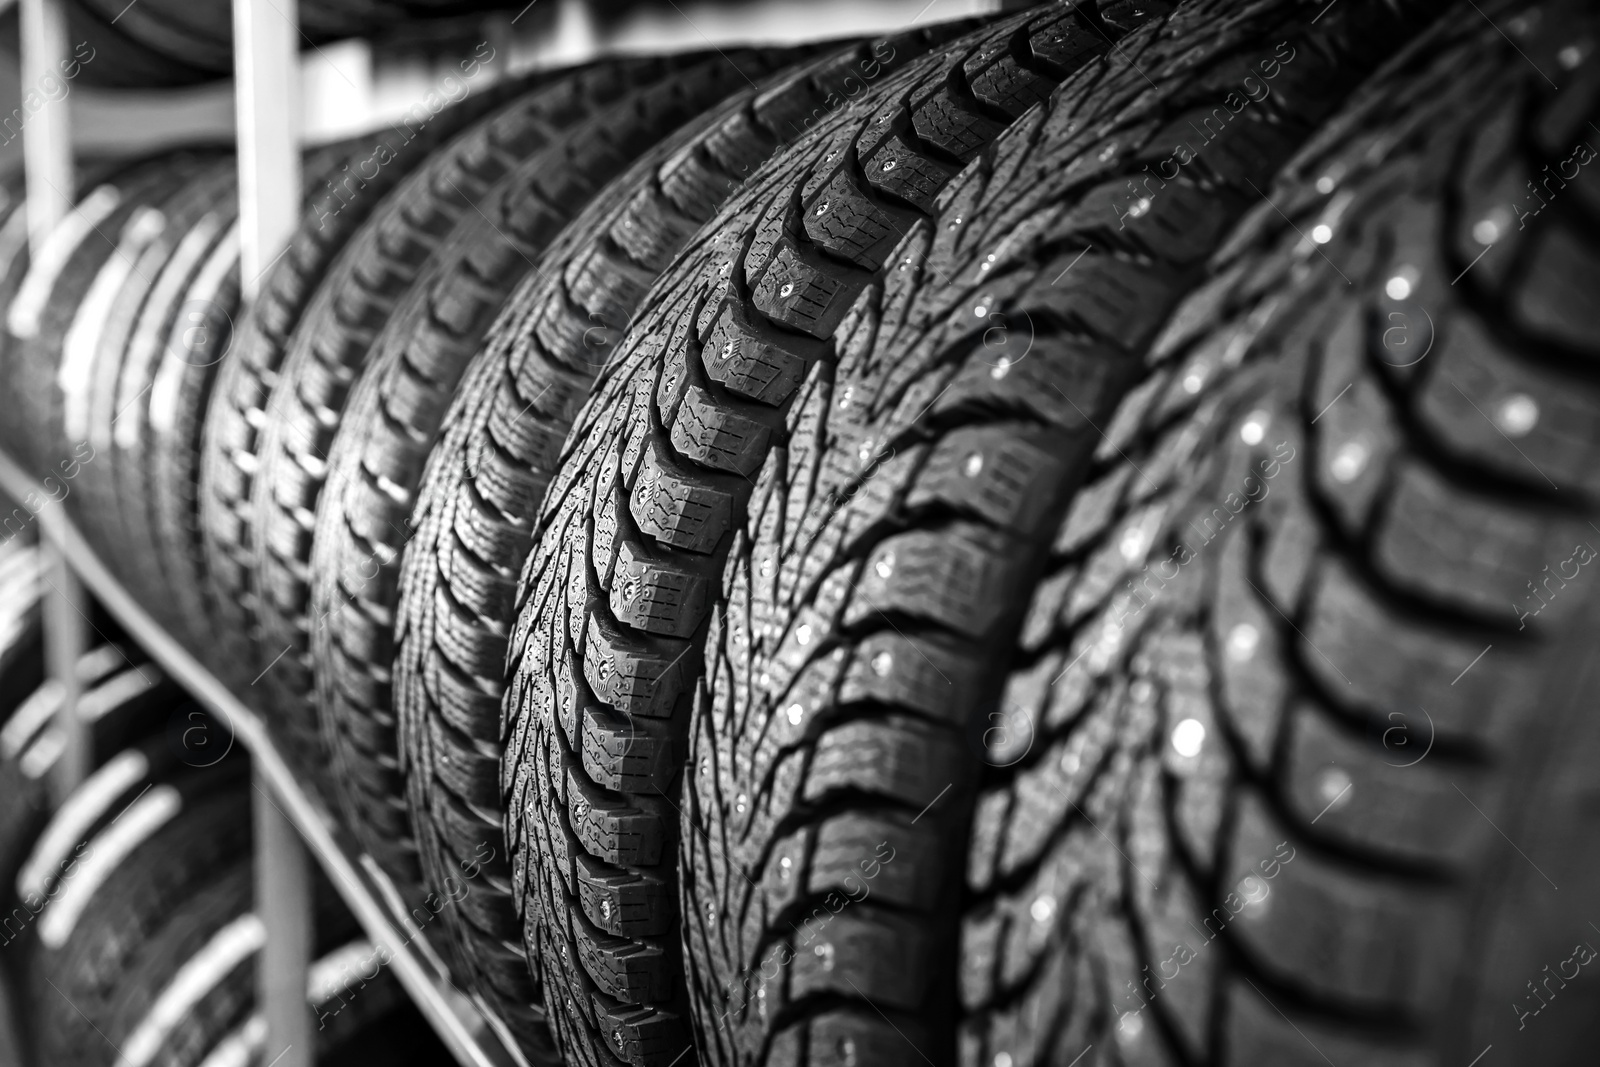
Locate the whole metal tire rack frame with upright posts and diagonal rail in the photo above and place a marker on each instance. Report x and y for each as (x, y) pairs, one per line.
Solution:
(292, 826)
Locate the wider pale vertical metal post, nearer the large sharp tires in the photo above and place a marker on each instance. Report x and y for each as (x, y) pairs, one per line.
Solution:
(266, 90)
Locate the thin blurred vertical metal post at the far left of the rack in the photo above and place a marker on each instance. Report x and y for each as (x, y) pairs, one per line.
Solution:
(47, 164)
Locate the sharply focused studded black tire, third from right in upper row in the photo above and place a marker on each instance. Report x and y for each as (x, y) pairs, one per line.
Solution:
(599, 706)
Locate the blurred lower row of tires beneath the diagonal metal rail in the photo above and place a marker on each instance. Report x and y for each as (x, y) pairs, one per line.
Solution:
(129, 933)
